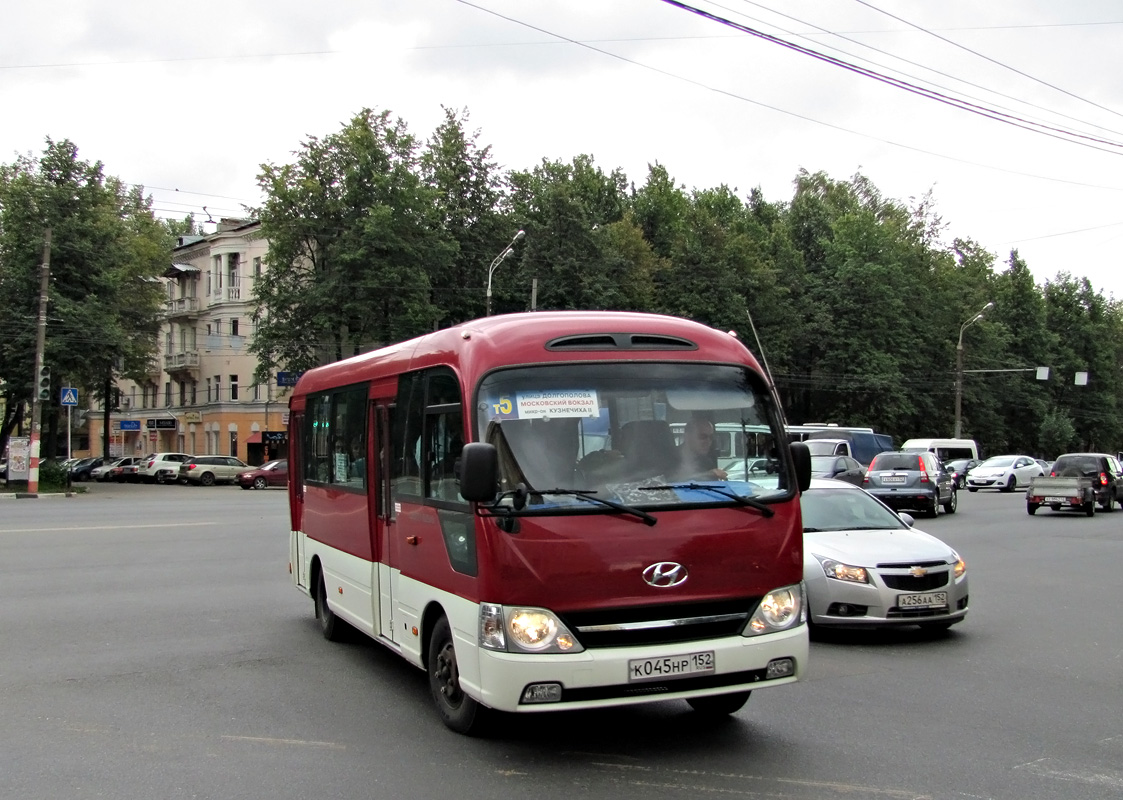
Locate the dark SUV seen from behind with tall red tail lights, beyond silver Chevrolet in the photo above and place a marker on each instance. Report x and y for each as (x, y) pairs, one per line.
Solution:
(912, 480)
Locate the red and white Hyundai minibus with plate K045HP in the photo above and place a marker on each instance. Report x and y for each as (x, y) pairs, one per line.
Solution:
(504, 505)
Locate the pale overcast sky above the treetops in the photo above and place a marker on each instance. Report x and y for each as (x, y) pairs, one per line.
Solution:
(189, 101)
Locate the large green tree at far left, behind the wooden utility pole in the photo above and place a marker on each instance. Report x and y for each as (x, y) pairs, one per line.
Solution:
(105, 303)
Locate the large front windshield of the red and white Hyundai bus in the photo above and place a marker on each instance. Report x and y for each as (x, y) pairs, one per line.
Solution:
(619, 430)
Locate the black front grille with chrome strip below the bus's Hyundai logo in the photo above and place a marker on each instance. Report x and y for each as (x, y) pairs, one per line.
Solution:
(658, 625)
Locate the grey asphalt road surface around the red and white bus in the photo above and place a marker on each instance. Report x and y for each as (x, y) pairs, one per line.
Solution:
(152, 647)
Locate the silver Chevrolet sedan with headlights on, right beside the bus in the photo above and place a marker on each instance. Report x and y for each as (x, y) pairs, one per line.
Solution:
(864, 566)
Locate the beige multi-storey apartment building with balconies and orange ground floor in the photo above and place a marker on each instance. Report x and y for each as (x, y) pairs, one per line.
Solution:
(200, 396)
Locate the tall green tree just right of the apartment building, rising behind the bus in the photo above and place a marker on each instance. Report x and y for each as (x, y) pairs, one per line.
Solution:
(357, 242)
